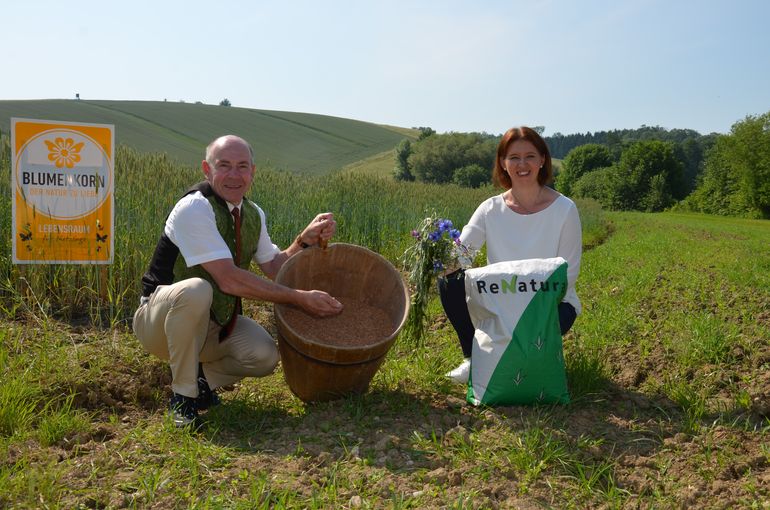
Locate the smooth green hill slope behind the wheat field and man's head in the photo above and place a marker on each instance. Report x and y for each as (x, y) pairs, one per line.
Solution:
(295, 141)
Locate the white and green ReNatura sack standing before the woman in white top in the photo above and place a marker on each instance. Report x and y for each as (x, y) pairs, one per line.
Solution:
(517, 353)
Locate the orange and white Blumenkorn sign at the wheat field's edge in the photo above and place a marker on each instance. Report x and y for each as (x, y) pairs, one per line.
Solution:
(63, 185)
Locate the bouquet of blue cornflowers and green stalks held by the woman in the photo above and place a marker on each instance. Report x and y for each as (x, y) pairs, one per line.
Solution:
(436, 247)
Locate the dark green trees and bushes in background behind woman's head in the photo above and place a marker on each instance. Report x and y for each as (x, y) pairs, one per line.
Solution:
(646, 169)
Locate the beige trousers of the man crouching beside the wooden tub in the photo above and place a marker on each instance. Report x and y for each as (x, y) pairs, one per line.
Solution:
(175, 326)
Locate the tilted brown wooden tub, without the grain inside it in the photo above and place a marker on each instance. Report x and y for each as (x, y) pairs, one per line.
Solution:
(319, 371)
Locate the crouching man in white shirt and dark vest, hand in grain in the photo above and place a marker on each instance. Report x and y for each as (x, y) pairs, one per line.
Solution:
(190, 308)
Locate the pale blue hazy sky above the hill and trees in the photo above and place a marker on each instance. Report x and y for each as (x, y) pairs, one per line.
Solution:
(571, 66)
